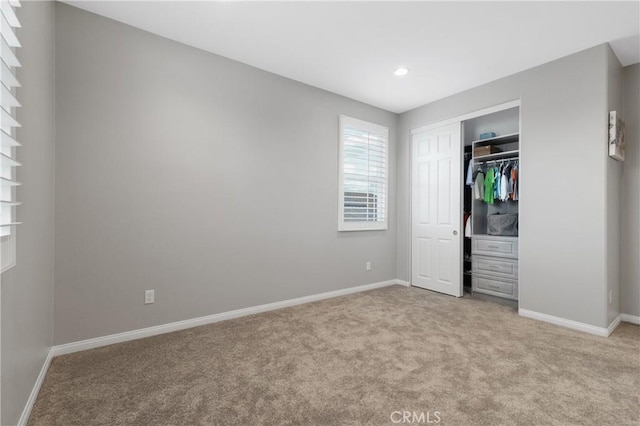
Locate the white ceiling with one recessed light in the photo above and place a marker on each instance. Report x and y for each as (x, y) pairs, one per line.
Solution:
(352, 48)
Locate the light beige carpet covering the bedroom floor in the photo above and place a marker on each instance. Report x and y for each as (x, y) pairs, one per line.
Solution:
(355, 360)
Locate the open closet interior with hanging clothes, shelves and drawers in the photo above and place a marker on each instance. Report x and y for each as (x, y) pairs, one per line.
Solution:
(491, 188)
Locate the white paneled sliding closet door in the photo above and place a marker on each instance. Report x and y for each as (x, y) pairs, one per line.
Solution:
(436, 216)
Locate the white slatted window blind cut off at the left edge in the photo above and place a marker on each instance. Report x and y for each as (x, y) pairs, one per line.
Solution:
(8, 104)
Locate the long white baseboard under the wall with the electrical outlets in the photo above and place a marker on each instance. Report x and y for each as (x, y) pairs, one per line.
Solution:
(97, 342)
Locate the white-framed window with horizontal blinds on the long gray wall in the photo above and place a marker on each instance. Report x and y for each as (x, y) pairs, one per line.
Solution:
(363, 175)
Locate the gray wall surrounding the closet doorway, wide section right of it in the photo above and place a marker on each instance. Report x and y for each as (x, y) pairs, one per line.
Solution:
(563, 264)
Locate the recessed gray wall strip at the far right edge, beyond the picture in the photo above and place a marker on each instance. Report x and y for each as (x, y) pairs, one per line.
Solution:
(630, 291)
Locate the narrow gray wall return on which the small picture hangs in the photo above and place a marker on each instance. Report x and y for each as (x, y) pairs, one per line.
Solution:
(614, 177)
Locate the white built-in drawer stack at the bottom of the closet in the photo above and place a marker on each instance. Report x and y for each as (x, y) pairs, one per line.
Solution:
(494, 263)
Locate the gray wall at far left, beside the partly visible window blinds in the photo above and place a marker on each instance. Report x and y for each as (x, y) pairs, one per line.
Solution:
(27, 289)
